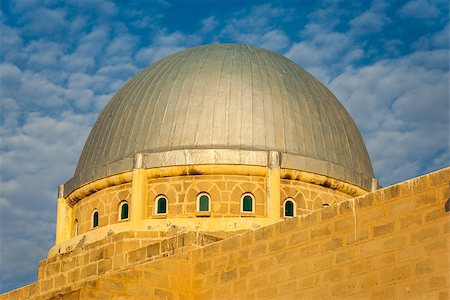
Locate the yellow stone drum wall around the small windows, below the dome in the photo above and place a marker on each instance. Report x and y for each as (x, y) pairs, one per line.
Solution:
(181, 192)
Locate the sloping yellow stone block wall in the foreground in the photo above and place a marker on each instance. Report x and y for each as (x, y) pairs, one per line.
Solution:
(390, 244)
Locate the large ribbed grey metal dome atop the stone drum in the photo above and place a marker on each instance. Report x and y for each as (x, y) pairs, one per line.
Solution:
(223, 101)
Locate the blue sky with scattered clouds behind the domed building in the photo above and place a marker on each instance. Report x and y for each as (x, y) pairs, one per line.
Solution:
(61, 61)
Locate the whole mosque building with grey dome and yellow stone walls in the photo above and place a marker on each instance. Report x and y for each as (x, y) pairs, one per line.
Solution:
(227, 171)
